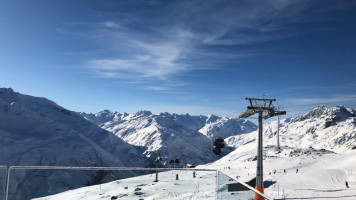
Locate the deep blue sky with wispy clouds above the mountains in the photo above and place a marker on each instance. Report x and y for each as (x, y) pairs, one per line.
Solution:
(196, 57)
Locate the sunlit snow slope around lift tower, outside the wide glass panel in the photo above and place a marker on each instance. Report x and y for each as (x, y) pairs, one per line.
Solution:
(321, 174)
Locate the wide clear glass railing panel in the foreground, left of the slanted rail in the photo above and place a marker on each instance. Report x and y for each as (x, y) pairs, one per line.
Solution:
(106, 184)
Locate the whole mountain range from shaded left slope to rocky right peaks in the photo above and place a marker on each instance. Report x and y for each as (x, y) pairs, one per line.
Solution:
(37, 131)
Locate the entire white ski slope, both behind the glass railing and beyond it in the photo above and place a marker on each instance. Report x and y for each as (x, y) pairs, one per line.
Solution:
(321, 175)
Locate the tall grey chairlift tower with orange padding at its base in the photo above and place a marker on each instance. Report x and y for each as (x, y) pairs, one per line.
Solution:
(265, 110)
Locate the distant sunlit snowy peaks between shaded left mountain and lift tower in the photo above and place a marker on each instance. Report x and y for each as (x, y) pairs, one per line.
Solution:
(188, 138)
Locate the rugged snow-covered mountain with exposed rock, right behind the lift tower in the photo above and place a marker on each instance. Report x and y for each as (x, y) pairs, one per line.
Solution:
(322, 128)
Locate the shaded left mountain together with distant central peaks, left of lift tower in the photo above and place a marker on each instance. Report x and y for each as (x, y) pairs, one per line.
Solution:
(36, 131)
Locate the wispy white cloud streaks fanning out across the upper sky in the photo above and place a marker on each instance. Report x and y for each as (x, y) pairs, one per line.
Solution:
(153, 45)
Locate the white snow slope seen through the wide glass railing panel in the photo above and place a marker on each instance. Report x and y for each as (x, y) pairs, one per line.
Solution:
(144, 187)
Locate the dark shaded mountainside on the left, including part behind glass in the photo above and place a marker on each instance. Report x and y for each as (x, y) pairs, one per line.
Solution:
(36, 131)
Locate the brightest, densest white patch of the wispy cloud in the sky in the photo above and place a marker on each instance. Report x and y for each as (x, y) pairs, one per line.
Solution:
(157, 61)
